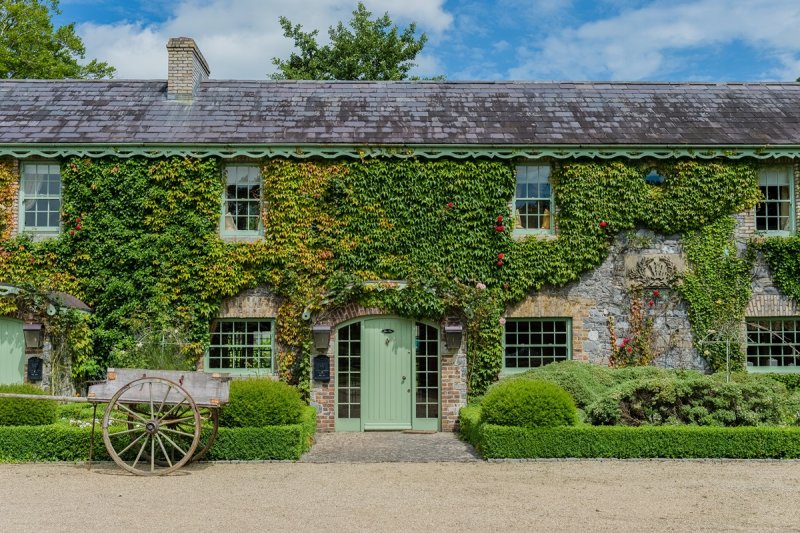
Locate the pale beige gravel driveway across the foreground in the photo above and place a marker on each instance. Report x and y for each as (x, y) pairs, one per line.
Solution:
(476, 496)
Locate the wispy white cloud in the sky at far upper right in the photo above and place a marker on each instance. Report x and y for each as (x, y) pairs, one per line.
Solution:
(640, 43)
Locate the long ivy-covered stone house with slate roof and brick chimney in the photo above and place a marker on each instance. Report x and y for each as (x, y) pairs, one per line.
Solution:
(391, 247)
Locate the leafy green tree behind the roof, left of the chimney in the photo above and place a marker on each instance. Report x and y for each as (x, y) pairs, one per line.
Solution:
(30, 47)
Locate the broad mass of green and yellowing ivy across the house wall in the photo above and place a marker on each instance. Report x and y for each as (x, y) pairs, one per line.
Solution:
(140, 240)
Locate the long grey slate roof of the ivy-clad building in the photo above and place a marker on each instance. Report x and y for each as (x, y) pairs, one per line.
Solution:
(410, 113)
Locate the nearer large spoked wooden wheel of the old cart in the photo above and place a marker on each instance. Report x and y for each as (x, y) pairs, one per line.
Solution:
(151, 426)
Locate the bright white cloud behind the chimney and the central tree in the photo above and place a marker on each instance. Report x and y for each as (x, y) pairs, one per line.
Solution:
(239, 38)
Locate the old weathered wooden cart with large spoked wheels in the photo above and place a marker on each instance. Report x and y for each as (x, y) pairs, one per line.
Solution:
(155, 421)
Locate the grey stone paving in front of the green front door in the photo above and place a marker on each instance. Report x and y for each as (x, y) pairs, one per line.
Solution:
(389, 447)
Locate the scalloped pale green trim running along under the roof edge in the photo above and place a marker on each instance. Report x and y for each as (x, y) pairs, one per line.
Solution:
(432, 151)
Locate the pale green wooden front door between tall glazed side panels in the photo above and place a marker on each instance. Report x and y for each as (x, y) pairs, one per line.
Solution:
(387, 383)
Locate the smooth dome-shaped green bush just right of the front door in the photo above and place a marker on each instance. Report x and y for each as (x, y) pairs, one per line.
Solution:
(528, 403)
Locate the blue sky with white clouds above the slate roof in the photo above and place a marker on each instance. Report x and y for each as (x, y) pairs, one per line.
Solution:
(662, 40)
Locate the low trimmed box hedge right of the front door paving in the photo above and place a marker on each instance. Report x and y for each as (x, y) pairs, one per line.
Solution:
(623, 442)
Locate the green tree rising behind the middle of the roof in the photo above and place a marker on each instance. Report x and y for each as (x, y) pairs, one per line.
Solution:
(366, 50)
